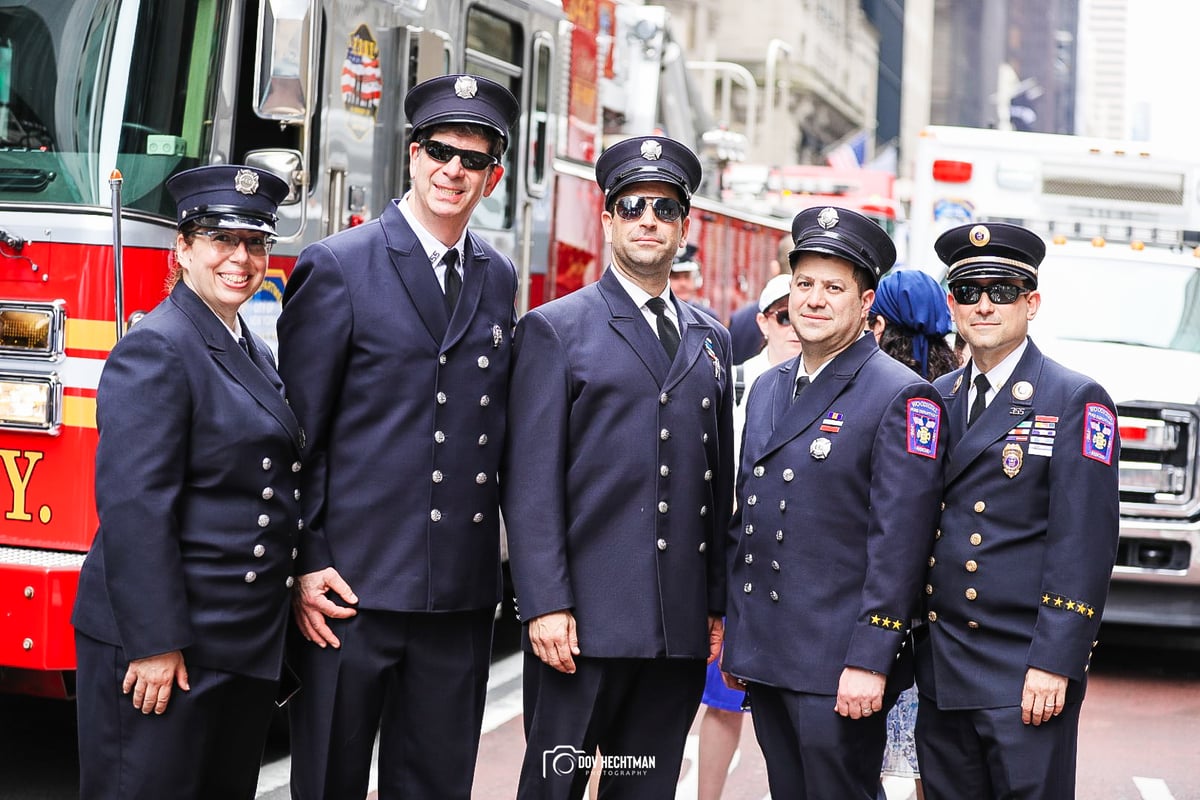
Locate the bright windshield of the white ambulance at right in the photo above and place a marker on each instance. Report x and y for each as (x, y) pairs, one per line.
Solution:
(1120, 300)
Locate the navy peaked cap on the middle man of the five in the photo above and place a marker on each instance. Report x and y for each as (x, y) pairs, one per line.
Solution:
(649, 159)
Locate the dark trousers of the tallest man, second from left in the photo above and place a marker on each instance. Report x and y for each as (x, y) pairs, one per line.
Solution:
(418, 679)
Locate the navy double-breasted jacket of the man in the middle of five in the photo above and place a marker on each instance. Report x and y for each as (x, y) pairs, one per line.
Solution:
(619, 479)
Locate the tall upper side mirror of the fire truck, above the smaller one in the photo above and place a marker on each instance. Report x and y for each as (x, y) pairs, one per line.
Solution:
(283, 68)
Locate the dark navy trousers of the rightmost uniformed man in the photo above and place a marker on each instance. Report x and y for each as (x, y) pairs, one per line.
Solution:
(985, 754)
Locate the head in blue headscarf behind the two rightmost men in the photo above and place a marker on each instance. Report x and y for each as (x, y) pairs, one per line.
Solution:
(910, 321)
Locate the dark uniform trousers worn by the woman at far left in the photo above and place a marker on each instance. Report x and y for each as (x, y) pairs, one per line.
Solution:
(208, 744)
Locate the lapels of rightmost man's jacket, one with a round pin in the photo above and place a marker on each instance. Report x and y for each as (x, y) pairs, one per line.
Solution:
(1001, 417)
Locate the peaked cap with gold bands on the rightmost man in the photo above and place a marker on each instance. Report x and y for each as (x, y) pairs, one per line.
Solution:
(995, 250)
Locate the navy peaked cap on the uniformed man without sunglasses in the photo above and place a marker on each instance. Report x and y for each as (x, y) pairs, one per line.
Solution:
(847, 234)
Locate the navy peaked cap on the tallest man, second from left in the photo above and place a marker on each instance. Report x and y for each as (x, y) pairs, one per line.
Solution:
(472, 100)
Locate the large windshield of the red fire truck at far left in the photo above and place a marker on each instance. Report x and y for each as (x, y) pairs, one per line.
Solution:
(87, 86)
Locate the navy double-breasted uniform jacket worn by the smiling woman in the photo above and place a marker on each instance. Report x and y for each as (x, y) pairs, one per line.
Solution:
(197, 491)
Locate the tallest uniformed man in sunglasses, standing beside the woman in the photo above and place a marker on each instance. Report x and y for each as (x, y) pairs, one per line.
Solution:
(398, 338)
